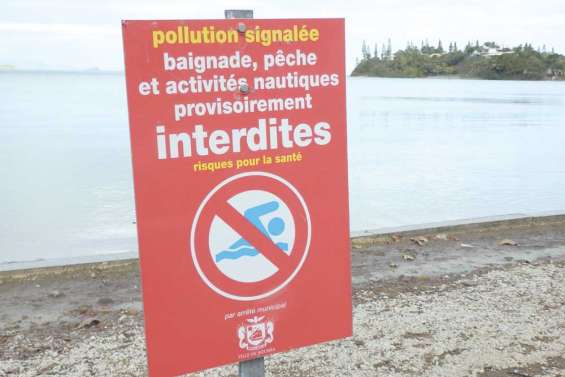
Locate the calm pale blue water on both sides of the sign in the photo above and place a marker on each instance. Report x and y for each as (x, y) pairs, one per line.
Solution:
(419, 151)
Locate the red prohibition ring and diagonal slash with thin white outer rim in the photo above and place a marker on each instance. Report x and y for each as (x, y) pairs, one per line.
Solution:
(216, 204)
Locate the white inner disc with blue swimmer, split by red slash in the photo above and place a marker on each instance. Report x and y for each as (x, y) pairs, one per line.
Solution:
(234, 256)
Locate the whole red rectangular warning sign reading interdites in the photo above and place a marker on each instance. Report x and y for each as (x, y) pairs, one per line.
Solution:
(238, 137)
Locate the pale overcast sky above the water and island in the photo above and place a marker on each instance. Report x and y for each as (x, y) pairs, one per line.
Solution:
(83, 34)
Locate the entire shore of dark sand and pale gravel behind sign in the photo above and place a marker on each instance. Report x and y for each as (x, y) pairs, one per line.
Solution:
(474, 300)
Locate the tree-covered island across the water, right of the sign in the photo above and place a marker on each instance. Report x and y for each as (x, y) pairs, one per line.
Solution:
(486, 61)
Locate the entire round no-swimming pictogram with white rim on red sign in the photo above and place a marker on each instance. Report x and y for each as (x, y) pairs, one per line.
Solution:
(250, 236)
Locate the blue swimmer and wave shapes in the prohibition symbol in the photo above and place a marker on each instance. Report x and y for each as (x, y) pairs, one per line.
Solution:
(275, 227)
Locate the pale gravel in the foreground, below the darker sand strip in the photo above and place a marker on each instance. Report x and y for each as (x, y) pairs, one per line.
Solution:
(476, 325)
